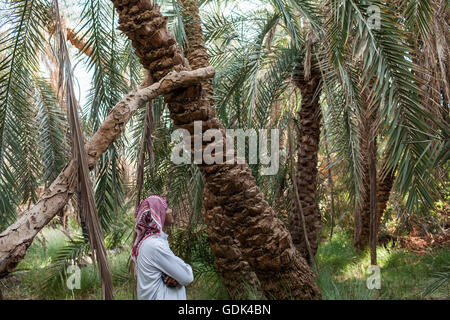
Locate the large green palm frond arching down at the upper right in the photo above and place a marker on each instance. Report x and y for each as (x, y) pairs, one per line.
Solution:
(386, 56)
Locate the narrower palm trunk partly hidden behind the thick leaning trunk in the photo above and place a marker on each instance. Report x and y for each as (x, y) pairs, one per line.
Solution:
(236, 273)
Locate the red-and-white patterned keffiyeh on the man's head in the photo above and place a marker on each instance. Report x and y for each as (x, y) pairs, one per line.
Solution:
(149, 221)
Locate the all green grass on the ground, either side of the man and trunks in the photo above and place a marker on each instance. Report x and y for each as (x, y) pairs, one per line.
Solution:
(342, 274)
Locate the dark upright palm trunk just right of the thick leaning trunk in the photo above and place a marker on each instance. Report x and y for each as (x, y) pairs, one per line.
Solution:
(309, 118)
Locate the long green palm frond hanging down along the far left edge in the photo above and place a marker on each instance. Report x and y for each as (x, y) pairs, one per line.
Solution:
(23, 24)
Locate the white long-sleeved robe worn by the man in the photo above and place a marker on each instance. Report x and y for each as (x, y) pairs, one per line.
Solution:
(154, 259)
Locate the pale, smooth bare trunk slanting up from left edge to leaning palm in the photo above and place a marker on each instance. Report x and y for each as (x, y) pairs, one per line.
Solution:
(16, 239)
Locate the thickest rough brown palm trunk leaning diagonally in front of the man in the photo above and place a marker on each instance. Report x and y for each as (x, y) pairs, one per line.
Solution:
(231, 194)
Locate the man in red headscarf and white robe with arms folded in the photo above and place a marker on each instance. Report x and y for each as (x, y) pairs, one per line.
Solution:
(161, 275)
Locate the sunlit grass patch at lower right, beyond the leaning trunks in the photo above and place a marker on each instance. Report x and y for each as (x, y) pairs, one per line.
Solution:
(404, 275)
